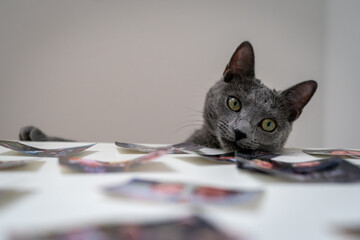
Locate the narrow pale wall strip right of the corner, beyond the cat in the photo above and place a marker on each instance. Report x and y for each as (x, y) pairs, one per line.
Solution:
(342, 74)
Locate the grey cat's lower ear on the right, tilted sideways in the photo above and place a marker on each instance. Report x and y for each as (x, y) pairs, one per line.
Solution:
(298, 96)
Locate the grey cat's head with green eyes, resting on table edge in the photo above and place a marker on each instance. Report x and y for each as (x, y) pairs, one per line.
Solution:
(242, 113)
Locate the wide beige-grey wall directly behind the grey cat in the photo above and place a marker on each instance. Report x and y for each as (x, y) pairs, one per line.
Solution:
(138, 71)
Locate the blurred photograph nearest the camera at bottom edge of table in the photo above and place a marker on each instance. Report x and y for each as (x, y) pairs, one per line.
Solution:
(192, 228)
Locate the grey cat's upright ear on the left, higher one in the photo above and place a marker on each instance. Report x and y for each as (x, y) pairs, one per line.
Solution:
(242, 63)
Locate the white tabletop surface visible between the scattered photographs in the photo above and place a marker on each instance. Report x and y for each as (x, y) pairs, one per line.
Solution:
(52, 198)
